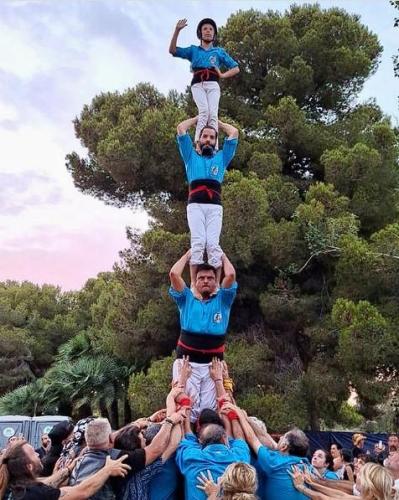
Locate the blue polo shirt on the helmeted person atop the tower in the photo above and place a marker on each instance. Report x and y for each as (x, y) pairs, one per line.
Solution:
(206, 58)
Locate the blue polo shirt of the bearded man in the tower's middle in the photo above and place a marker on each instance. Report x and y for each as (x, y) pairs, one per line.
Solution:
(202, 167)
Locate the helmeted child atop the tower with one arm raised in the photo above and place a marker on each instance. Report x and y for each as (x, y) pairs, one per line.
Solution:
(206, 60)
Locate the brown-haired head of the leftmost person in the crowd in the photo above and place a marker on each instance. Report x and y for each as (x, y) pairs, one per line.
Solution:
(20, 465)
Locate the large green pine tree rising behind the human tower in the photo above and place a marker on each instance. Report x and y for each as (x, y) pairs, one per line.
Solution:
(311, 208)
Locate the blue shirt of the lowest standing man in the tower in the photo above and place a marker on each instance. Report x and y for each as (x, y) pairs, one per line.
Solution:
(205, 316)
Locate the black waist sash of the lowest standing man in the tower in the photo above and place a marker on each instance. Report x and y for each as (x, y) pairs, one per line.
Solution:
(200, 347)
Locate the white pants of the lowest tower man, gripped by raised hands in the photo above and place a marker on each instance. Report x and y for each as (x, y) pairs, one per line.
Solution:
(200, 387)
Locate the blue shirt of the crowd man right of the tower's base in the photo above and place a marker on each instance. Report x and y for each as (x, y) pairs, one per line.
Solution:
(278, 483)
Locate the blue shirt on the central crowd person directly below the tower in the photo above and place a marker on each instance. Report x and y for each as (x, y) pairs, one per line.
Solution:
(192, 459)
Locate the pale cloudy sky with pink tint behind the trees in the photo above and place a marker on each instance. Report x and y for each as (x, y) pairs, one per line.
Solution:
(55, 56)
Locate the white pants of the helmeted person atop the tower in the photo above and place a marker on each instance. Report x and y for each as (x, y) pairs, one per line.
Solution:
(206, 96)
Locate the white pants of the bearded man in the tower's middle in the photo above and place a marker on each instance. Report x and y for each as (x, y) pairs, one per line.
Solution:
(205, 223)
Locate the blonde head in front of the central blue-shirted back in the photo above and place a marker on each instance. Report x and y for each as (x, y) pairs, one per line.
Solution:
(239, 482)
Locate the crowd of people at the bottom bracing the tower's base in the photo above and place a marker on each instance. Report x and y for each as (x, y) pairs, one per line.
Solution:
(224, 454)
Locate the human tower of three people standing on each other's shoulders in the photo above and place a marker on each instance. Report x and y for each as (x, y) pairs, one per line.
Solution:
(204, 306)
